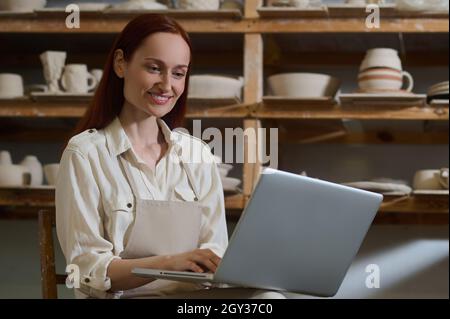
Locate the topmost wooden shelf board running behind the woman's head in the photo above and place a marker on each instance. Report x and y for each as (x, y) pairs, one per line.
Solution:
(218, 24)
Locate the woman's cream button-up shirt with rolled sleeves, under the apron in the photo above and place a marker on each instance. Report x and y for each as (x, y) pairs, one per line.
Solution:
(95, 203)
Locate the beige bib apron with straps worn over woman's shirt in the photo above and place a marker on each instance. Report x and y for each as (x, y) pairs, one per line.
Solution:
(162, 228)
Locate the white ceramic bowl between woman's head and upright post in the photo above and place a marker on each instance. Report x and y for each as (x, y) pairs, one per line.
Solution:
(215, 86)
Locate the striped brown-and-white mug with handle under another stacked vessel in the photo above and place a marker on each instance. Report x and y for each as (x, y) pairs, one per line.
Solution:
(384, 79)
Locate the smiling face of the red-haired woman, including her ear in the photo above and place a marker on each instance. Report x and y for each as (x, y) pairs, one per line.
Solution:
(154, 77)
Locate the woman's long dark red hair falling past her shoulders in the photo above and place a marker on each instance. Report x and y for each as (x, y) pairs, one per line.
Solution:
(109, 99)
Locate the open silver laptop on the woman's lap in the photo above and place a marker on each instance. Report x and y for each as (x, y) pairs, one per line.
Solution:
(296, 234)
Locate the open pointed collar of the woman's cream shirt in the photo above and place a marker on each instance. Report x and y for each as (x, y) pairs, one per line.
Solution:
(118, 141)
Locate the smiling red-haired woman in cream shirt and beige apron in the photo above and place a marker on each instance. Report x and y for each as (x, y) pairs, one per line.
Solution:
(129, 192)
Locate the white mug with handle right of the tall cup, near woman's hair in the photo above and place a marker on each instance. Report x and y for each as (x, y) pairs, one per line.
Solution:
(77, 79)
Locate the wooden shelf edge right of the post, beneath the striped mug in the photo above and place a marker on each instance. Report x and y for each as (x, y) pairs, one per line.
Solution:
(284, 111)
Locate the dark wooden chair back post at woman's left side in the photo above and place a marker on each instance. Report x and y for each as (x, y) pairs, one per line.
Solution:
(49, 278)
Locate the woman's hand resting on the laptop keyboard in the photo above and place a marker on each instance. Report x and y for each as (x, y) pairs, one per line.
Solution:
(198, 260)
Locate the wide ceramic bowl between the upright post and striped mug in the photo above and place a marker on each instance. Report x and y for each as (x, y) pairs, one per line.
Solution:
(303, 85)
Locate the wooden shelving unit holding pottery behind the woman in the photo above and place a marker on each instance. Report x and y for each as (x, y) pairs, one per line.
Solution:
(254, 25)
